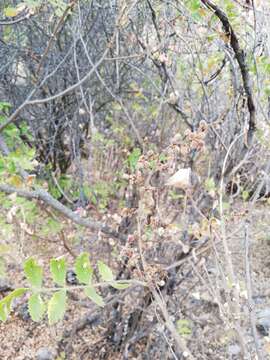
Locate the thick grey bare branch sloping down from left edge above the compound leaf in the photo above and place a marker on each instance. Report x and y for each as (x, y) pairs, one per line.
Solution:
(41, 194)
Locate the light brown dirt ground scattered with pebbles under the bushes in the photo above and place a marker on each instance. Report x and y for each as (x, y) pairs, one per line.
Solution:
(21, 338)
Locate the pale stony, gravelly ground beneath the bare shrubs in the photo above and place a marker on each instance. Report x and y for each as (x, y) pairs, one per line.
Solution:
(202, 329)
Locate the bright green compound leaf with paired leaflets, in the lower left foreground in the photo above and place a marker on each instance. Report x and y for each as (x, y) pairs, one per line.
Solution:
(57, 303)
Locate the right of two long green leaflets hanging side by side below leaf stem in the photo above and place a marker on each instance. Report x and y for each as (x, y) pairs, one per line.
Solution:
(57, 306)
